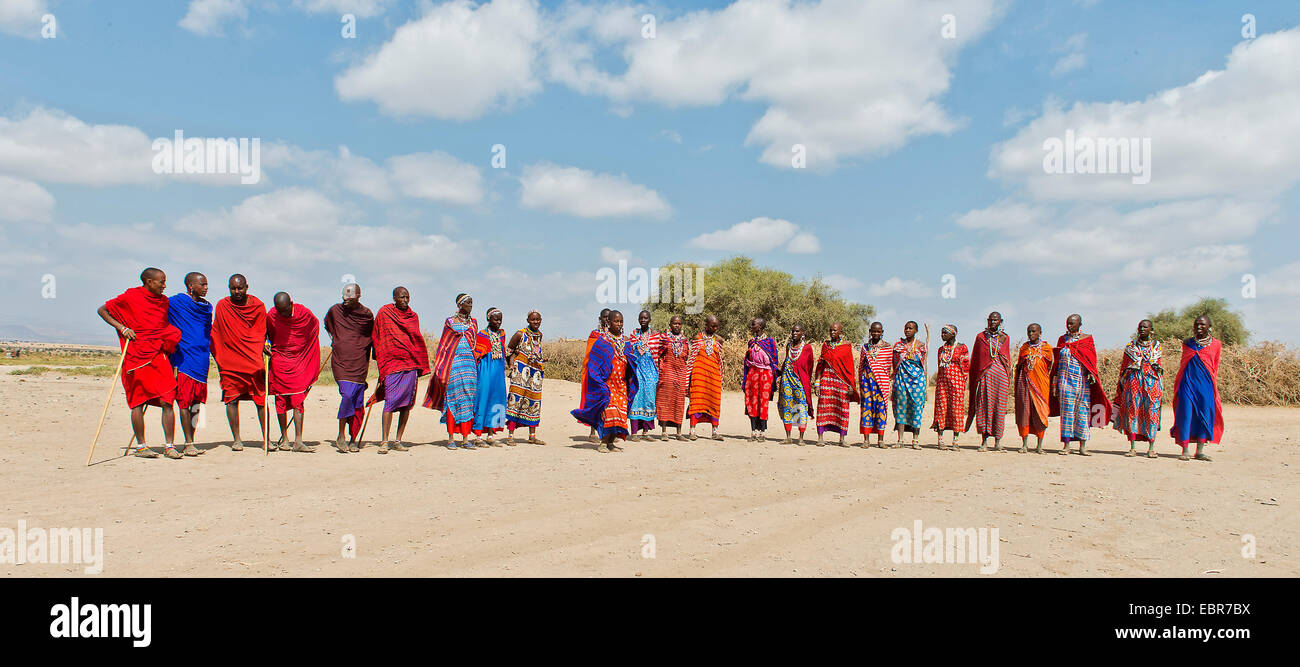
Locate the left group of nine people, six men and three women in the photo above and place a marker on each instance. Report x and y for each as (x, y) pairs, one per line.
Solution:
(483, 382)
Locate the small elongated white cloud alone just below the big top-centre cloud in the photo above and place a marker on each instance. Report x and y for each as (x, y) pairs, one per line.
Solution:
(587, 194)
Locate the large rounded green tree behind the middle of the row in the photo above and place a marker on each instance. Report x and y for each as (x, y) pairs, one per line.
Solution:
(736, 292)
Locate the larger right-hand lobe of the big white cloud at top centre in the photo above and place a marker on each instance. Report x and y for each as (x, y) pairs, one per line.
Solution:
(803, 60)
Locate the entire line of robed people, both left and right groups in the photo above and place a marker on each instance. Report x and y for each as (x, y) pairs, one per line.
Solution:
(488, 383)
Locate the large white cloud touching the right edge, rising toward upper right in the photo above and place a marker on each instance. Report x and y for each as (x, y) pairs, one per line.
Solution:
(1229, 133)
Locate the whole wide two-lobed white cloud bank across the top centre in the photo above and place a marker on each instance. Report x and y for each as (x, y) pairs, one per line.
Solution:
(803, 62)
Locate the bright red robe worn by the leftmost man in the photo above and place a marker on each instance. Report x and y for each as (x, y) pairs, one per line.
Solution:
(148, 374)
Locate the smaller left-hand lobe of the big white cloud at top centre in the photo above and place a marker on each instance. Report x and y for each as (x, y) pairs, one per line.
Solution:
(457, 62)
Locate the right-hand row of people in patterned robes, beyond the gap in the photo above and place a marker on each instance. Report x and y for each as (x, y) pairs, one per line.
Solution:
(974, 386)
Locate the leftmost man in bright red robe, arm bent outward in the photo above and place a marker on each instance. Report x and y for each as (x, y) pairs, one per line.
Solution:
(140, 318)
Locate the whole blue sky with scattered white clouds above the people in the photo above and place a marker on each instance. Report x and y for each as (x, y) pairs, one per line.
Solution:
(924, 154)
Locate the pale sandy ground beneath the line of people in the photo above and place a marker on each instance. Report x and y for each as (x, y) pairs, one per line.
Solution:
(660, 509)
